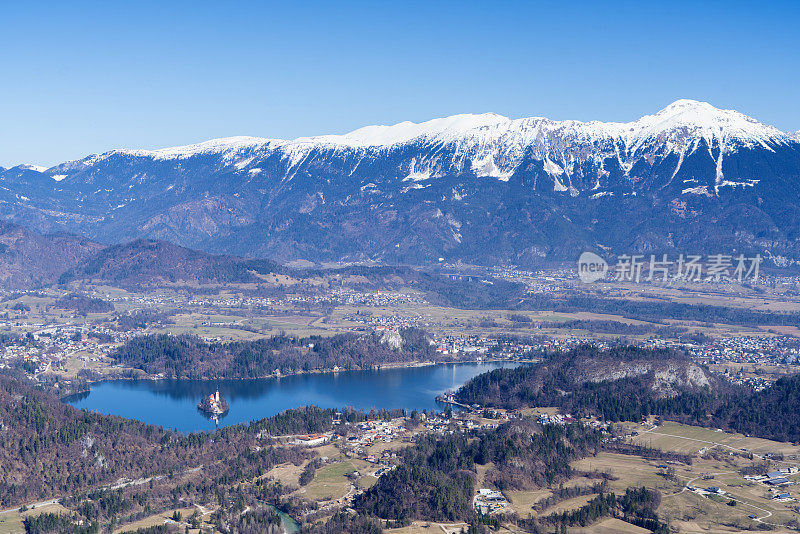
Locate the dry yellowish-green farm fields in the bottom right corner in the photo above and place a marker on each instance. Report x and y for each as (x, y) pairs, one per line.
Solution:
(717, 461)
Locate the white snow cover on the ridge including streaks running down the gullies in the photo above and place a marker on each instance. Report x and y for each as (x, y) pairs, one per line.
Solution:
(491, 145)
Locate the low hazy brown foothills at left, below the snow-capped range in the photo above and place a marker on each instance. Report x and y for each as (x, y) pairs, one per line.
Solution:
(29, 259)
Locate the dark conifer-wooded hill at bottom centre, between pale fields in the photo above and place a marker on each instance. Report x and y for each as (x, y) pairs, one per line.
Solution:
(436, 480)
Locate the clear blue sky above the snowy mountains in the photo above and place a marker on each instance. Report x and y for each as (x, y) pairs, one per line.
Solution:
(80, 77)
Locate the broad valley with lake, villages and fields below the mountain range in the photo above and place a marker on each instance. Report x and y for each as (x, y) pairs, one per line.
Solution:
(166, 320)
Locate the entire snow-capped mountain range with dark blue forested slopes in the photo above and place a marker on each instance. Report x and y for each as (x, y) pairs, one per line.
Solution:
(418, 192)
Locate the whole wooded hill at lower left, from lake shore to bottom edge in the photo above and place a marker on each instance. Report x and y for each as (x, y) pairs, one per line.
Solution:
(107, 471)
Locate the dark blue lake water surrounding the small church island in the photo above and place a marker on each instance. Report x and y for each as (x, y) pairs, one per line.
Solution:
(173, 403)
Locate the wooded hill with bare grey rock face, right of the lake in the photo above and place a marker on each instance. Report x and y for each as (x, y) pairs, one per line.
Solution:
(590, 381)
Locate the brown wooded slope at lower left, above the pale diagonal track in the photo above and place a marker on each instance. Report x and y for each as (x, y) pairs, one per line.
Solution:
(50, 449)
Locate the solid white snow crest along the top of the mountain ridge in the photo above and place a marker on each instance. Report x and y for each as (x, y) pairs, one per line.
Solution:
(680, 121)
